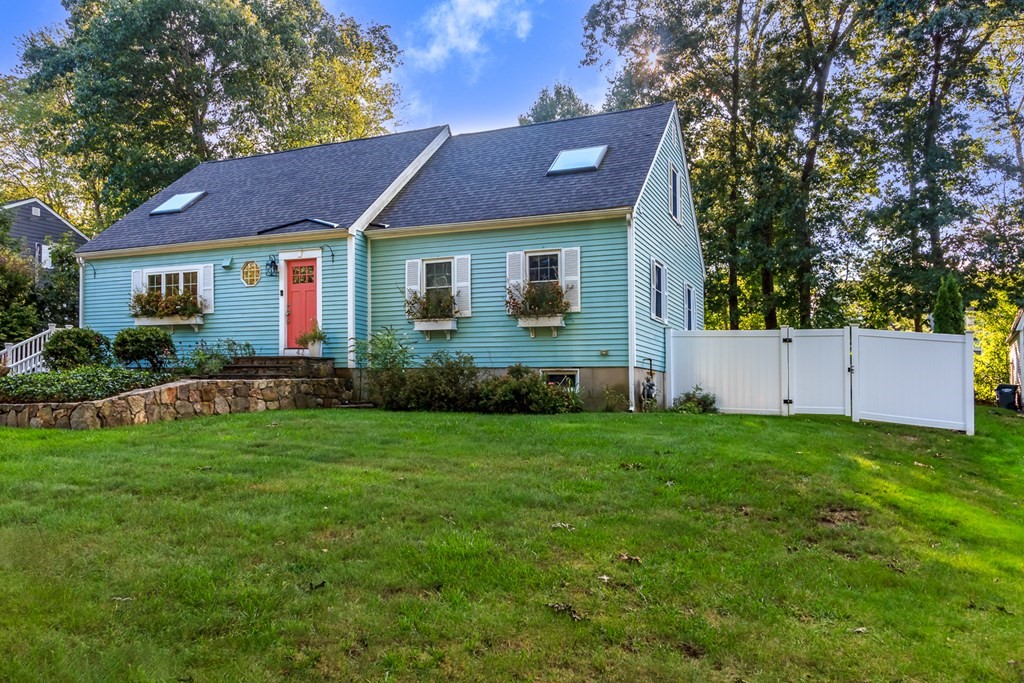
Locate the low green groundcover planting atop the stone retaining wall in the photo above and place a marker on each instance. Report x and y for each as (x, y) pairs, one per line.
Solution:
(90, 383)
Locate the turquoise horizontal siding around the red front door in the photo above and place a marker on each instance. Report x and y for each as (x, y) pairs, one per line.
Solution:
(242, 314)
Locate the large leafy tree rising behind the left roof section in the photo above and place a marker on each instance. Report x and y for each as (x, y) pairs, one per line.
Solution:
(160, 87)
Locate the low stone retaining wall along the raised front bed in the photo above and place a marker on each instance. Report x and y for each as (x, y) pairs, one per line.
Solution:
(180, 401)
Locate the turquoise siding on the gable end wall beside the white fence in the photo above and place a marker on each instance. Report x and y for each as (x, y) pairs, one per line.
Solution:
(660, 237)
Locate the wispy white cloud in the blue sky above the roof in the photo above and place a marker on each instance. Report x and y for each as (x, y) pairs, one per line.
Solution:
(460, 27)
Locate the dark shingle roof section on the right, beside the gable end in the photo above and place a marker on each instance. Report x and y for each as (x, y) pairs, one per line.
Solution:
(503, 174)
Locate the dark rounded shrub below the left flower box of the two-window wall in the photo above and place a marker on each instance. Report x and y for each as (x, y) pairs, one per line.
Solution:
(445, 382)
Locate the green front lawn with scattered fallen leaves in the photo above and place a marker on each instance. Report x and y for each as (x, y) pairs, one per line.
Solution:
(349, 545)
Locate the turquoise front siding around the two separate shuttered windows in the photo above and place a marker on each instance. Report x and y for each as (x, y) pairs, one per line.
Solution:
(490, 335)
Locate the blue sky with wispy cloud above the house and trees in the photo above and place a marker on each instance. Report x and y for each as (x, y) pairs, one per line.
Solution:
(472, 64)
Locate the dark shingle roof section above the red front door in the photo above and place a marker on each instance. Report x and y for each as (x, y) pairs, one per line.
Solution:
(332, 183)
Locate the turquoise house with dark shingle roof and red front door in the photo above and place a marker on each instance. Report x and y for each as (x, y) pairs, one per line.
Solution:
(343, 236)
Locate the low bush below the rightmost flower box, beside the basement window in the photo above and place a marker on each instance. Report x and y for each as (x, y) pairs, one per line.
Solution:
(524, 392)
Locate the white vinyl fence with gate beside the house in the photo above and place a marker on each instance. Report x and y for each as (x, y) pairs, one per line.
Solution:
(906, 378)
